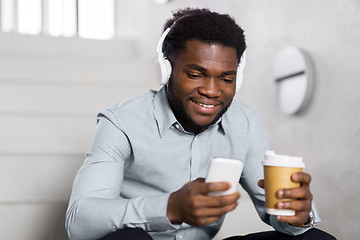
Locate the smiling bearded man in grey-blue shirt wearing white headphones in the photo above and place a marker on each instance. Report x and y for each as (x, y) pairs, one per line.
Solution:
(144, 175)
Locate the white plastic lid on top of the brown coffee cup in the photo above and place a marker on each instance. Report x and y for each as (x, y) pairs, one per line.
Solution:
(272, 159)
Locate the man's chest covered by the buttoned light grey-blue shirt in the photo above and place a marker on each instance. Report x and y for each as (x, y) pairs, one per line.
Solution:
(170, 161)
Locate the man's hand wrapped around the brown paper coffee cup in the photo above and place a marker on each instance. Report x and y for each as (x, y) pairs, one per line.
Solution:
(302, 199)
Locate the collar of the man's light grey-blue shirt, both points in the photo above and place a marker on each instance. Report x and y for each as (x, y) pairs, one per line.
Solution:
(165, 117)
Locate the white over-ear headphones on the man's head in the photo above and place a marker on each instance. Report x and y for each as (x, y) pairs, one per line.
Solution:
(165, 65)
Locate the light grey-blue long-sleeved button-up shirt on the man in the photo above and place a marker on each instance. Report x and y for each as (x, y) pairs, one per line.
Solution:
(140, 154)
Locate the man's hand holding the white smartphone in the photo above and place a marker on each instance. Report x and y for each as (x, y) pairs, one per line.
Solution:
(191, 203)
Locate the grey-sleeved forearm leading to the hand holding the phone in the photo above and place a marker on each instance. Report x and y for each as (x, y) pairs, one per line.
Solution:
(93, 218)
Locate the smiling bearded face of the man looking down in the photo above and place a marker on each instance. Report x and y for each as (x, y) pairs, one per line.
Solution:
(203, 84)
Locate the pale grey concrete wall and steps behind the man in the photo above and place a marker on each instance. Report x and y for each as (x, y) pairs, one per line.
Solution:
(51, 89)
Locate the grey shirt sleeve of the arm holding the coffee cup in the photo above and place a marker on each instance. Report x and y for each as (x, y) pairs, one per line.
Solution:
(253, 172)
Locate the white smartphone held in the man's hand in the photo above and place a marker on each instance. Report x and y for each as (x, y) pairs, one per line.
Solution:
(224, 170)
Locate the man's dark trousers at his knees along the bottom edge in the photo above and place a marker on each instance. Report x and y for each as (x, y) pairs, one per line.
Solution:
(312, 234)
